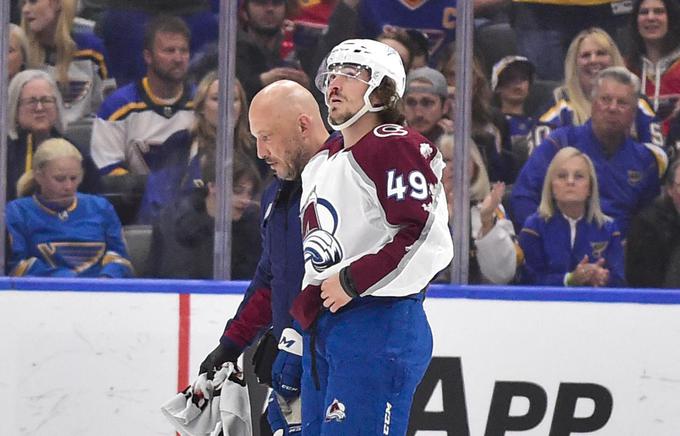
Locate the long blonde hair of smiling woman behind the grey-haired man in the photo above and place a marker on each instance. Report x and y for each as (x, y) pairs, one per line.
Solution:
(578, 98)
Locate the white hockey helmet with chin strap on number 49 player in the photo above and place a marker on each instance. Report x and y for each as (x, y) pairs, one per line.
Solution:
(379, 59)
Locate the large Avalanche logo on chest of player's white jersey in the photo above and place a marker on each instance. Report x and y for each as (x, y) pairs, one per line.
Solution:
(319, 223)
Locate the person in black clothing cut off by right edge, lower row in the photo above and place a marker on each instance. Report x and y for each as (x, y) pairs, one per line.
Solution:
(653, 243)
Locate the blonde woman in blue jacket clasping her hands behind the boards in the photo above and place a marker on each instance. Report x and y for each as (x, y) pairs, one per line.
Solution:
(569, 241)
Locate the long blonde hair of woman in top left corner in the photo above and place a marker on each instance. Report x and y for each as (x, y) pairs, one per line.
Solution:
(64, 43)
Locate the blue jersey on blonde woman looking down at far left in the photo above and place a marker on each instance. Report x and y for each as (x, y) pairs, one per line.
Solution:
(83, 240)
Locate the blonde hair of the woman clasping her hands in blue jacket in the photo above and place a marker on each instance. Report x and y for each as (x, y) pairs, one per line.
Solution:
(548, 206)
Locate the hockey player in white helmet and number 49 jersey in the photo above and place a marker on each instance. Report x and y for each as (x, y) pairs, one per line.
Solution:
(374, 228)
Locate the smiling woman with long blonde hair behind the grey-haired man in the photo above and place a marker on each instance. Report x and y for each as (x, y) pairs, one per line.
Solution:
(590, 52)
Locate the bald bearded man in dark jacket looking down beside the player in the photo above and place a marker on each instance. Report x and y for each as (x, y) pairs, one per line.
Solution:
(285, 119)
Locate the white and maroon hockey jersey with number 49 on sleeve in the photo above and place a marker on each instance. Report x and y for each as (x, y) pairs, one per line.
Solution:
(379, 209)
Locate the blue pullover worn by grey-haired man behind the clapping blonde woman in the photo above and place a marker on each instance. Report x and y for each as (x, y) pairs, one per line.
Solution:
(628, 181)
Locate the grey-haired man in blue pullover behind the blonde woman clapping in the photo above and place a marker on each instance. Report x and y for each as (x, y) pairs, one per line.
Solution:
(628, 171)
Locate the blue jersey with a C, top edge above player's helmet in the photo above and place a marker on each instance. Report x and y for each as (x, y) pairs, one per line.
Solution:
(435, 18)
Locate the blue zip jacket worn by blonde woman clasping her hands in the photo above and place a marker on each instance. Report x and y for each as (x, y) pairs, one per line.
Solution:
(549, 255)
